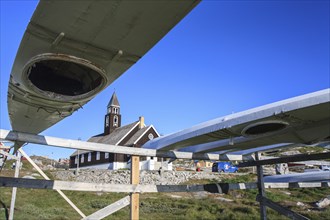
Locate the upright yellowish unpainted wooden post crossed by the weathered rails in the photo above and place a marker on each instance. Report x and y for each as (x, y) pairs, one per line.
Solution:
(135, 179)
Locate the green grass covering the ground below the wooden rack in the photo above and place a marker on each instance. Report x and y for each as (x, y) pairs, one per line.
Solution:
(47, 204)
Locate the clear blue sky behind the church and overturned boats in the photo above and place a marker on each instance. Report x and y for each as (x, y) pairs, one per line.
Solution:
(224, 57)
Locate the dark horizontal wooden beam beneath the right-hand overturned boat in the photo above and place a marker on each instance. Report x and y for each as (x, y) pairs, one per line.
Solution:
(286, 159)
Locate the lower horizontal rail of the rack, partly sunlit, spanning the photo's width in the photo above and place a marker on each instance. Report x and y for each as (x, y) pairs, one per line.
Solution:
(127, 188)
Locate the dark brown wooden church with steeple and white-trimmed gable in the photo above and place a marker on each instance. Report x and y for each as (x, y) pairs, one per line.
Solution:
(134, 134)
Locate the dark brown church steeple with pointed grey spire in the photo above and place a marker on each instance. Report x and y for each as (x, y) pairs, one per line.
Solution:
(113, 117)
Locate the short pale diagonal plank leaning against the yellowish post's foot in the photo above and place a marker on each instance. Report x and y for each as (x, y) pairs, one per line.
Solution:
(114, 207)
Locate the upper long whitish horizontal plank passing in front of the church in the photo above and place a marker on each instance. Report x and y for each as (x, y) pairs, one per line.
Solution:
(82, 145)
